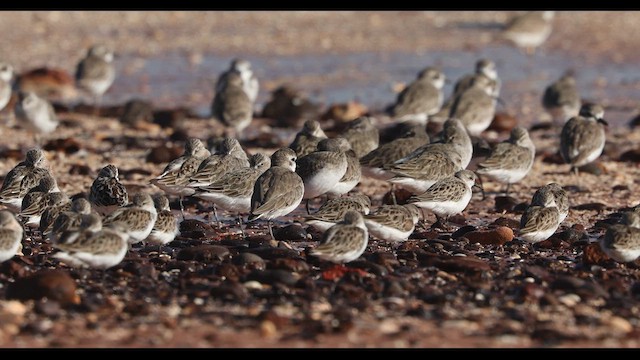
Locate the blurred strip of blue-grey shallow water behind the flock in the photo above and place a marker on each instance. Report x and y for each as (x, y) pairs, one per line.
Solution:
(173, 80)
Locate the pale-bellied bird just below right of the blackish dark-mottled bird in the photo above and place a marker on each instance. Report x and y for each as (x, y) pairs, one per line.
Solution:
(139, 217)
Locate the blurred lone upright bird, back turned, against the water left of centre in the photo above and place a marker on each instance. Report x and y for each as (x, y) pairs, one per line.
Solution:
(232, 107)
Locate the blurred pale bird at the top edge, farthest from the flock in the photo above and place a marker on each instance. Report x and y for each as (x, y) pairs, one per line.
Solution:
(529, 30)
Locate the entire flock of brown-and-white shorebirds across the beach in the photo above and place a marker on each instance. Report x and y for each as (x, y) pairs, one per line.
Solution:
(97, 230)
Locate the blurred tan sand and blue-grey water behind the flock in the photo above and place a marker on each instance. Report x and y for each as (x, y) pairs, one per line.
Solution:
(172, 58)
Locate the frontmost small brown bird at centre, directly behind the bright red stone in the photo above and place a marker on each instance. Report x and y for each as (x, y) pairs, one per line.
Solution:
(344, 241)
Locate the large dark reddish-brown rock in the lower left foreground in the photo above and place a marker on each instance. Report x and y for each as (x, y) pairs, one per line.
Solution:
(56, 285)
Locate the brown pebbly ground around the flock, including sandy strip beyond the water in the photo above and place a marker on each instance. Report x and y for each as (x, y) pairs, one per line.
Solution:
(205, 290)
